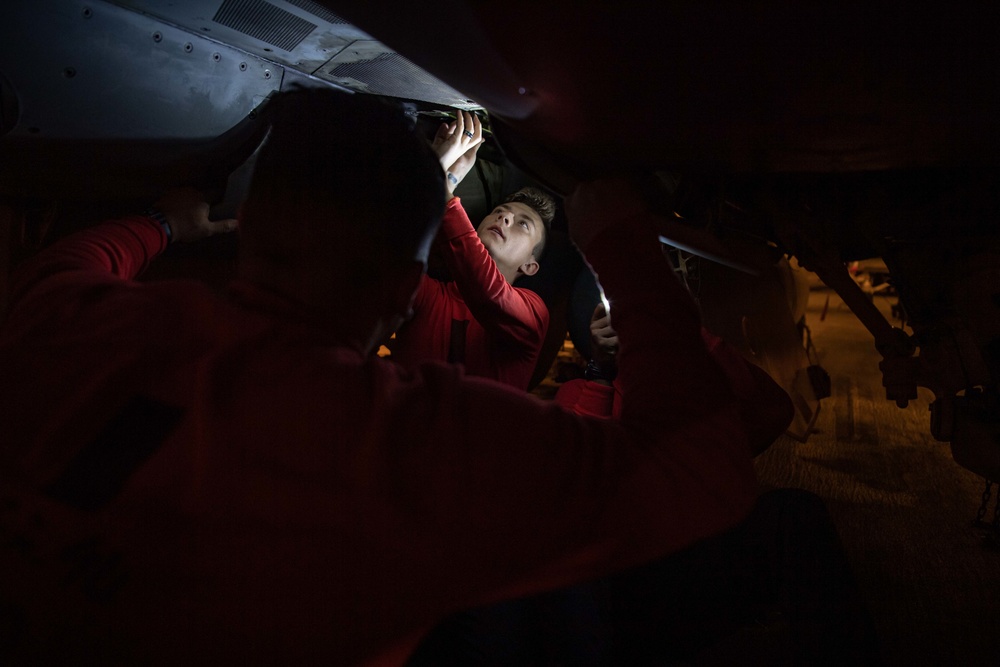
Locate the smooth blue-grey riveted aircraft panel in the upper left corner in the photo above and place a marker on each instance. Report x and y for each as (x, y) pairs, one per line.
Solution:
(97, 71)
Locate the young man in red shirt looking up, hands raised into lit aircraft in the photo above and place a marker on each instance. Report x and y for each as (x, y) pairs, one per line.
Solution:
(480, 319)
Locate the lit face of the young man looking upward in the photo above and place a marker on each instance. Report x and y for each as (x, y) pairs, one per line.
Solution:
(510, 234)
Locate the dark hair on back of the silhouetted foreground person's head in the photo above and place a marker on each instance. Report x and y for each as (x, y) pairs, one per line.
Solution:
(341, 172)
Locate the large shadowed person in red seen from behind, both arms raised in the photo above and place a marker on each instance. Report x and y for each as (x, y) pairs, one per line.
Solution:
(194, 478)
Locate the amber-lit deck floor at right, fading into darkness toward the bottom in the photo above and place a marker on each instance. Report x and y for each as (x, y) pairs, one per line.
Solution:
(903, 507)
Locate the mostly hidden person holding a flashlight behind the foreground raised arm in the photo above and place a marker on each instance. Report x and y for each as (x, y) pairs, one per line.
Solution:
(777, 588)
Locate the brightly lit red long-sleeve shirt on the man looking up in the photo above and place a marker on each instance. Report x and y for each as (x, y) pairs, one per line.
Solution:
(494, 329)
